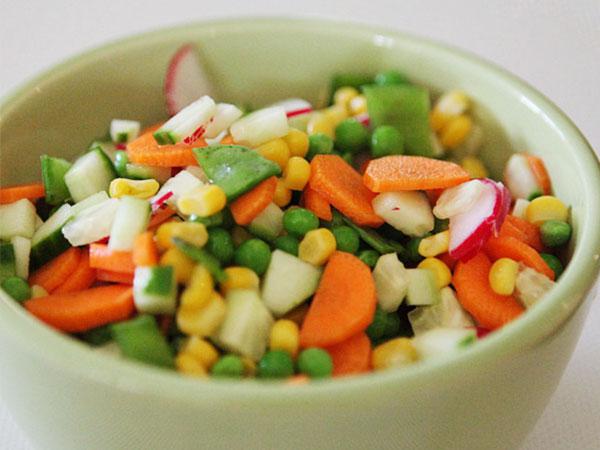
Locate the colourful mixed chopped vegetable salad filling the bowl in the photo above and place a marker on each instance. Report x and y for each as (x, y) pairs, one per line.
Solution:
(288, 242)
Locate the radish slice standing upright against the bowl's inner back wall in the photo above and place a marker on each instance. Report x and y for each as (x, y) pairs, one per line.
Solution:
(186, 79)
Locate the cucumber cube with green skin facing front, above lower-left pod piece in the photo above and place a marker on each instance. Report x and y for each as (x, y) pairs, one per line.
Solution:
(155, 290)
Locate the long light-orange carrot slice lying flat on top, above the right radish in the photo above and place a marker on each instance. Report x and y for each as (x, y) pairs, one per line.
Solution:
(411, 173)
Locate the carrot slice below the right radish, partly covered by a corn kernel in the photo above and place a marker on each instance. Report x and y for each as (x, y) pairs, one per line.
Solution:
(475, 294)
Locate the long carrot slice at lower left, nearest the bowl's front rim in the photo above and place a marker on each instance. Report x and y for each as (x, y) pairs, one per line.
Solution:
(83, 310)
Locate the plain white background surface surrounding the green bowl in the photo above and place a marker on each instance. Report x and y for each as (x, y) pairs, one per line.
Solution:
(553, 44)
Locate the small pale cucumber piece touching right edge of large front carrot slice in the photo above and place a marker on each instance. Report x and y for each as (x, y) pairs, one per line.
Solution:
(391, 282)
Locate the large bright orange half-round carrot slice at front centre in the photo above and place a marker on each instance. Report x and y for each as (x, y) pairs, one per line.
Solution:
(344, 304)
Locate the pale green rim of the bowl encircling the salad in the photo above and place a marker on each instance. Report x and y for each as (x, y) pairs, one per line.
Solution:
(540, 322)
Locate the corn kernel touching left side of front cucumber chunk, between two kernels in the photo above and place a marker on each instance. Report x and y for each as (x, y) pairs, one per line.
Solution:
(202, 321)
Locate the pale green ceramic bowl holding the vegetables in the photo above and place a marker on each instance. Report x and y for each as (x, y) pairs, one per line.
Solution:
(65, 396)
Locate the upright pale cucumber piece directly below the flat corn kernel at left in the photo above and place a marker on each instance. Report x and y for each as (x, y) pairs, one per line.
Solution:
(131, 219)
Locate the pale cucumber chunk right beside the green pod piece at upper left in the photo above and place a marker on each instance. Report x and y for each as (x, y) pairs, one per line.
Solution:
(91, 173)
